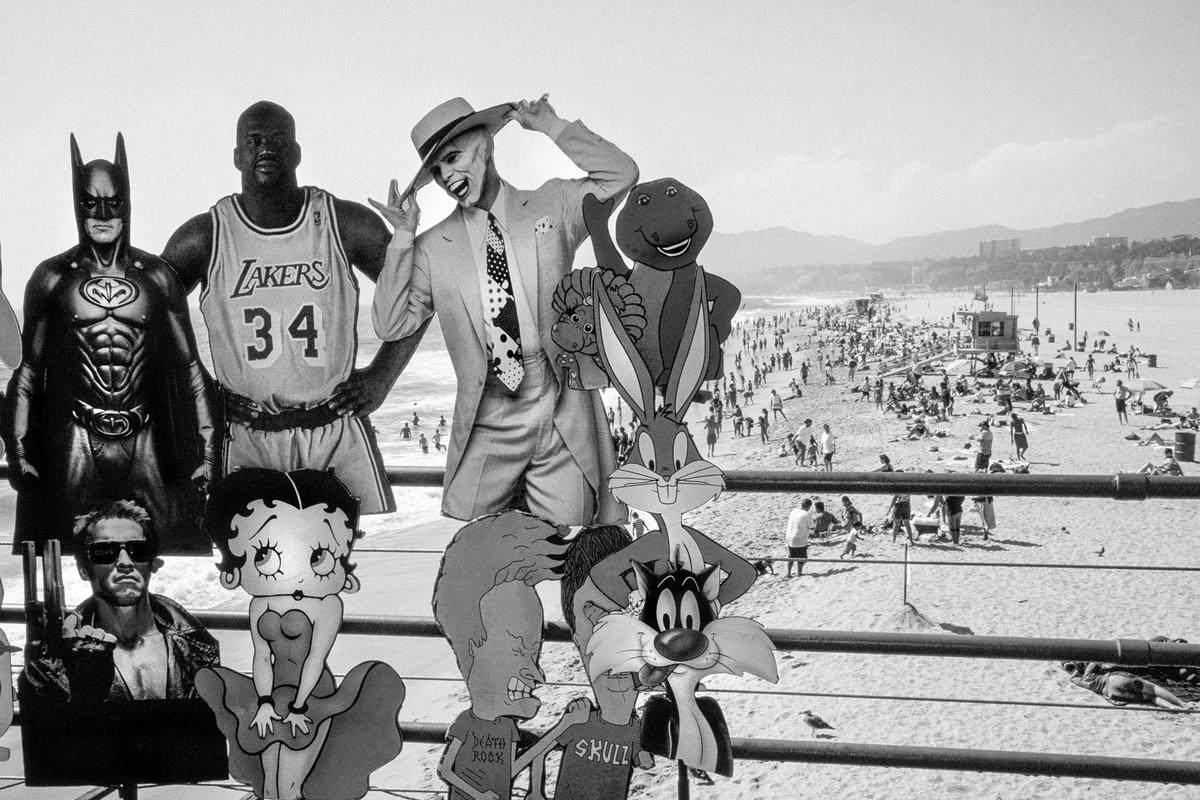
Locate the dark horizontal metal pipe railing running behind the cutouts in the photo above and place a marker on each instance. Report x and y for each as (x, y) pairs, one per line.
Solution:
(1118, 652)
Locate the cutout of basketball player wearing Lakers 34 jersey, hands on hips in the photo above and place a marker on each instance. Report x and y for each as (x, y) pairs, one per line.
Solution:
(281, 303)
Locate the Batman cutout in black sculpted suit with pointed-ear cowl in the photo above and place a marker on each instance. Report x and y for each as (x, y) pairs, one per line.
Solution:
(111, 401)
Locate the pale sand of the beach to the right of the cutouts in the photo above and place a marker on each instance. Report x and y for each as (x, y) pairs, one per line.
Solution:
(970, 600)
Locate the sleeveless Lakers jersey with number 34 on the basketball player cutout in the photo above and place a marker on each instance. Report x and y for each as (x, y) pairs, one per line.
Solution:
(281, 305)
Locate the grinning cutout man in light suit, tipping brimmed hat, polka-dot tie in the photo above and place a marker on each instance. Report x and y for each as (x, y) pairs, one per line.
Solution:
(490, 270)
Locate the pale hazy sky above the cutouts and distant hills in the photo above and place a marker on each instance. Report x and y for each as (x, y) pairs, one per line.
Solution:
(862, 119)
